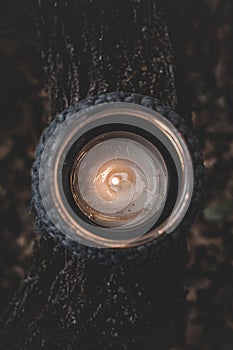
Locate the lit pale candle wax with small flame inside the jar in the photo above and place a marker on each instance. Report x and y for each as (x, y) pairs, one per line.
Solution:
(119, 179)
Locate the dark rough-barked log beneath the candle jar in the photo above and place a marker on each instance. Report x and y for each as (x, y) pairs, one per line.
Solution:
(66, 302)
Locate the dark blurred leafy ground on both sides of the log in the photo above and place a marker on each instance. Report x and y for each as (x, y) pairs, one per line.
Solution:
(25, 112)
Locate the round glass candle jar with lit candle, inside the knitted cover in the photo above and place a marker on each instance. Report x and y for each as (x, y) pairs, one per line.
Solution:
(116, 175)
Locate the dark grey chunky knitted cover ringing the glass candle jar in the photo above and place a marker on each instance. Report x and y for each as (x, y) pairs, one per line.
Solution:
(45, 226)
